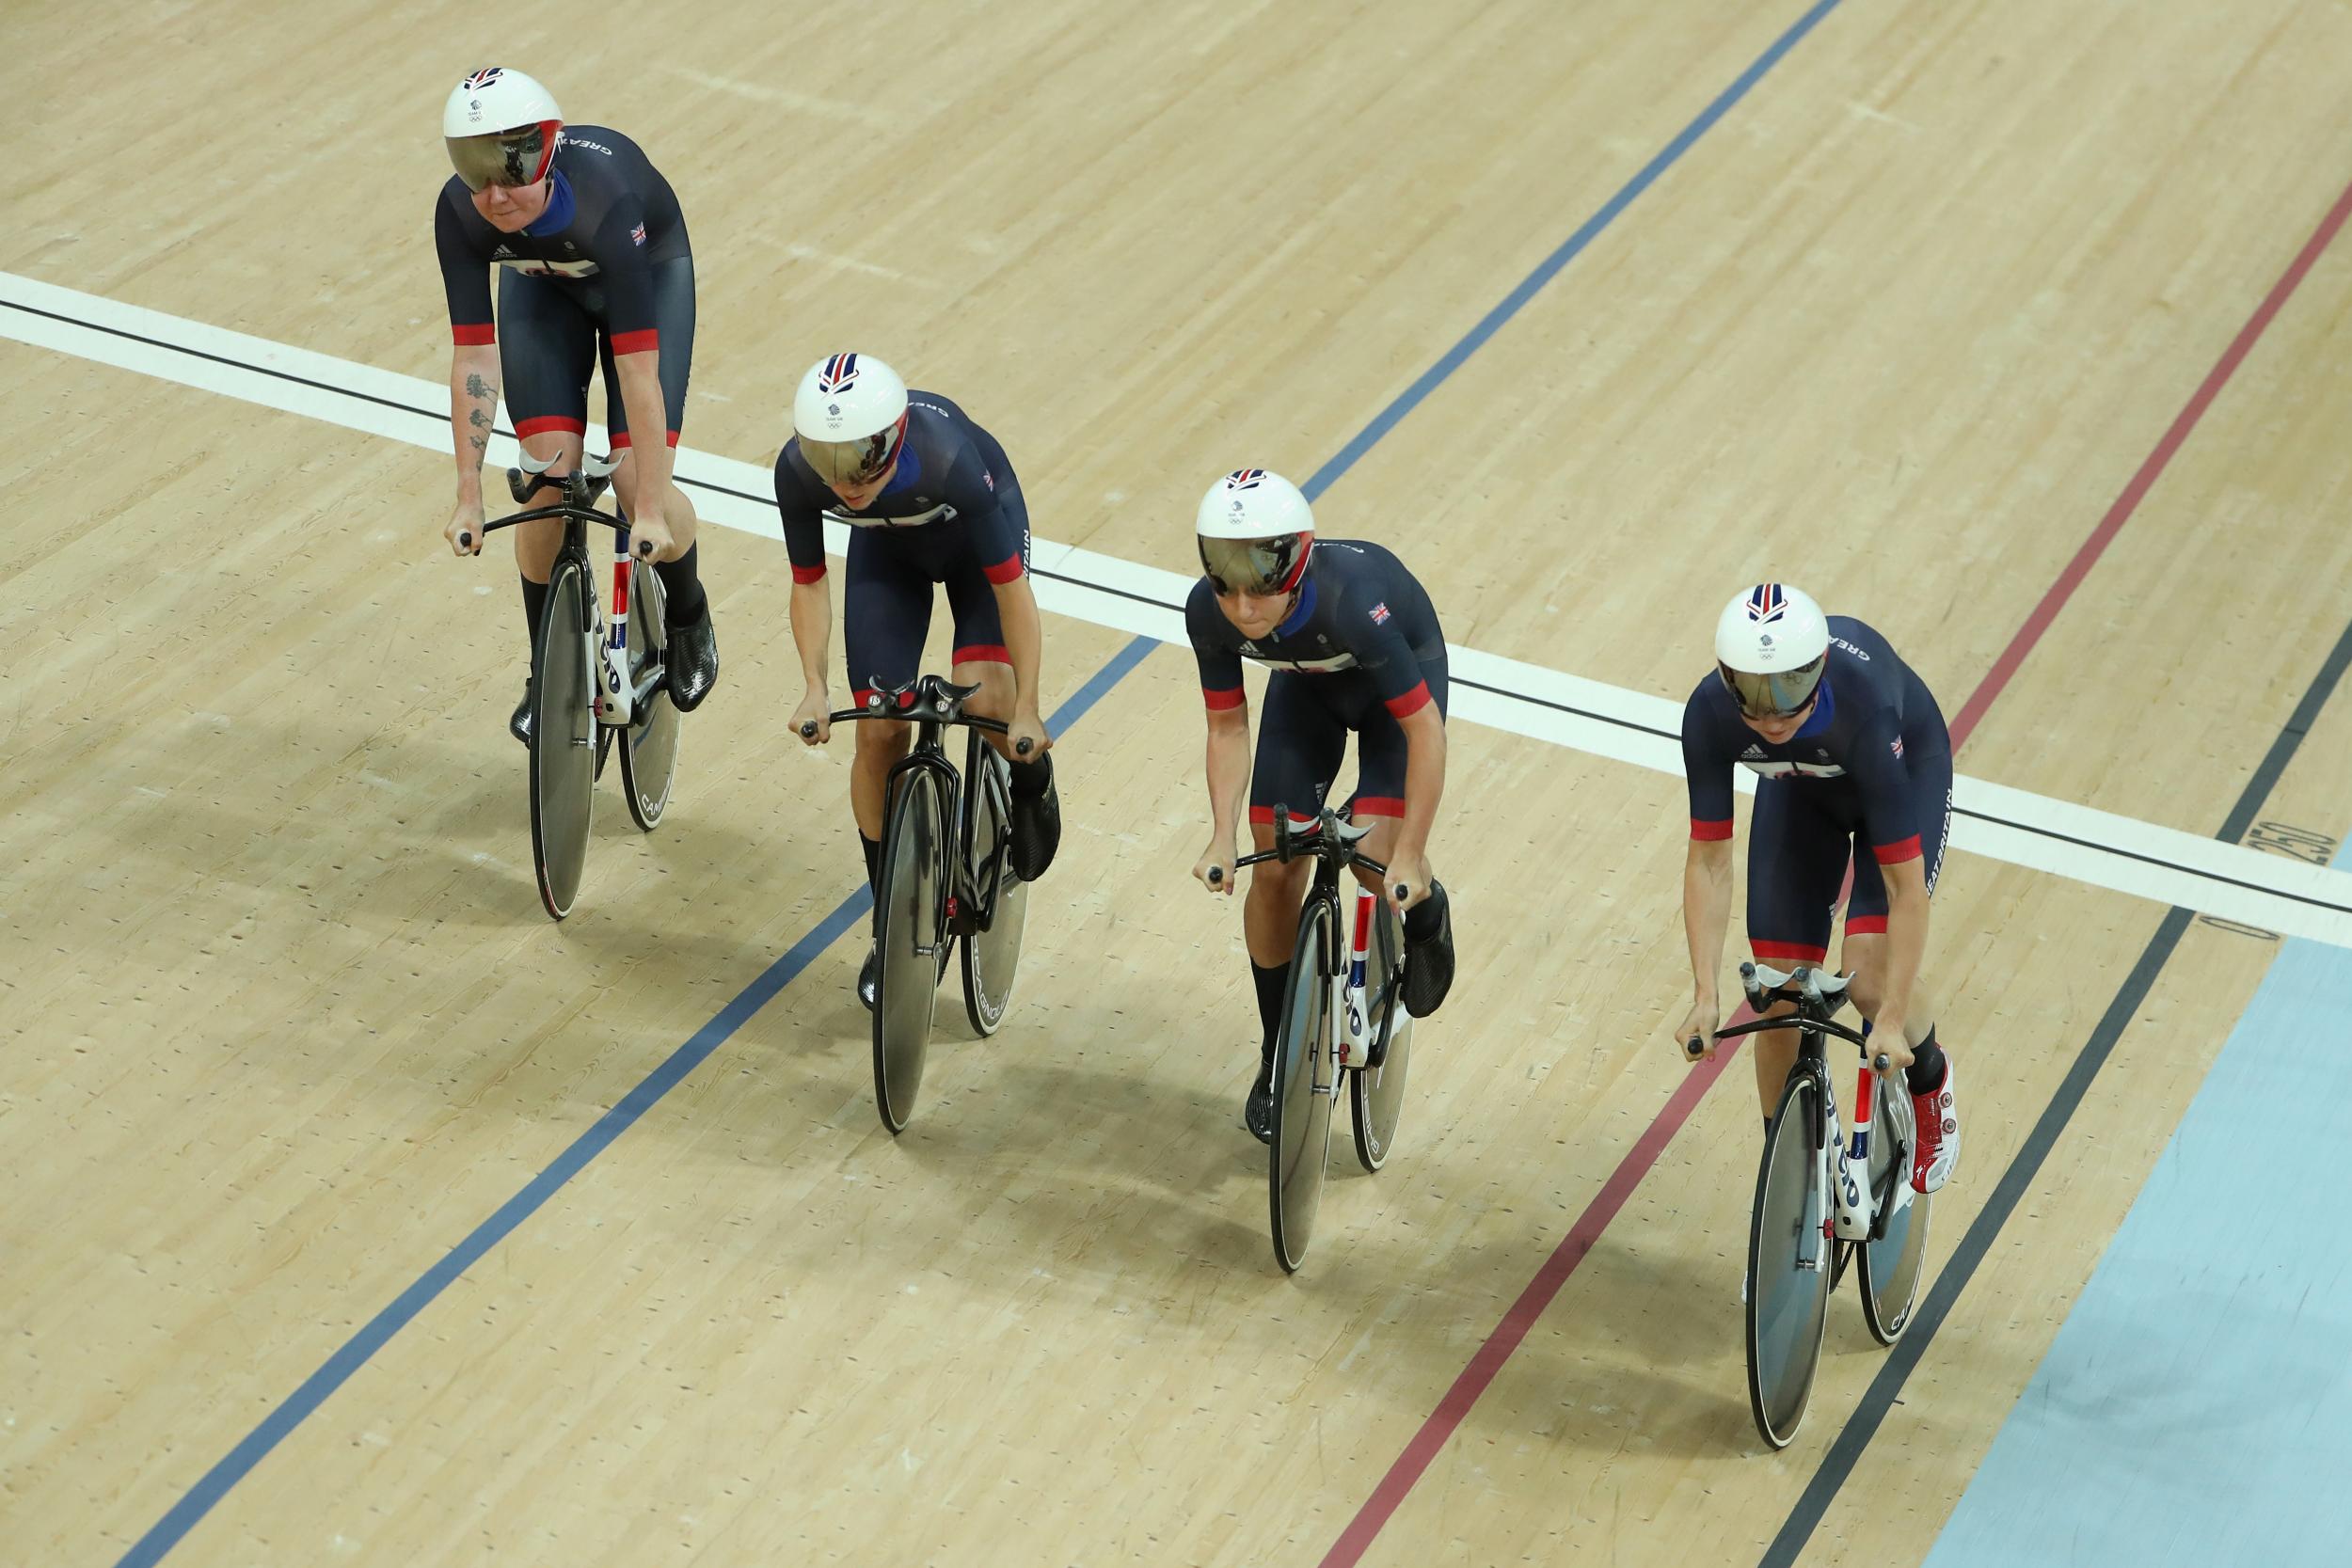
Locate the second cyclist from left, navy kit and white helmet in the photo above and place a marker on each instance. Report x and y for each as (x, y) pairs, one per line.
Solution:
(930, 497)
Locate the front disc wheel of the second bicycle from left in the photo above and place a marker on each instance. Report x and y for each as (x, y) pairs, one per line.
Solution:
(909, 934)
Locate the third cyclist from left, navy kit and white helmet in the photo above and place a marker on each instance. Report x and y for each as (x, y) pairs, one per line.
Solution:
(1354, 648)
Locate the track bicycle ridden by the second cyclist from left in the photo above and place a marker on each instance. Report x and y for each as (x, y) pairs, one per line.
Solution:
(947, 873)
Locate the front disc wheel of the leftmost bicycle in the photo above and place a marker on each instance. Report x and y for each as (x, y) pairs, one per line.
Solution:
(563, 742)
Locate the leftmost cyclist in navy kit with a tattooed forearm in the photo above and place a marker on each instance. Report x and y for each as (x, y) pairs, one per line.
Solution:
(594, 264)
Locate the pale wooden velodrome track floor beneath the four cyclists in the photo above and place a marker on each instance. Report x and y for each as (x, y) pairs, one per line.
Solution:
(305, 1252)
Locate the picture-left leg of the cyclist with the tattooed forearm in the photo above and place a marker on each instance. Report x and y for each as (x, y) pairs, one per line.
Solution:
(547, 349)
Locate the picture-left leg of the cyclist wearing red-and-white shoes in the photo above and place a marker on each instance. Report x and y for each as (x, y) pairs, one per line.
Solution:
(1796, 866)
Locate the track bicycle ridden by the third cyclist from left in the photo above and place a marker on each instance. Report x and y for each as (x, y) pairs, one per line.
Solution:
(1344, 1017)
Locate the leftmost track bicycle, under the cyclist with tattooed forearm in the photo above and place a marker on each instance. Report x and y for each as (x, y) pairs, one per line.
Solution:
(592, 681)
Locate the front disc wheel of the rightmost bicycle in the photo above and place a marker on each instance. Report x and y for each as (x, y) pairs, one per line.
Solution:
(1789, 1266)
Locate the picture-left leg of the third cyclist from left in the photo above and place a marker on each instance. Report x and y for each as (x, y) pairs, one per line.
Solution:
(1302, 744)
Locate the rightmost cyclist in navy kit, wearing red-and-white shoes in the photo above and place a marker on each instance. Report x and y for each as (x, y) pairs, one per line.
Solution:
(1852, 756)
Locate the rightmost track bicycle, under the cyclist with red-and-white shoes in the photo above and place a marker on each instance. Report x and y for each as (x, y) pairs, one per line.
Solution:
(1826, 1198)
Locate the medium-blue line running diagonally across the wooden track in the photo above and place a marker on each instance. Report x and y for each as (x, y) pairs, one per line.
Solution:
(403, 1311)
